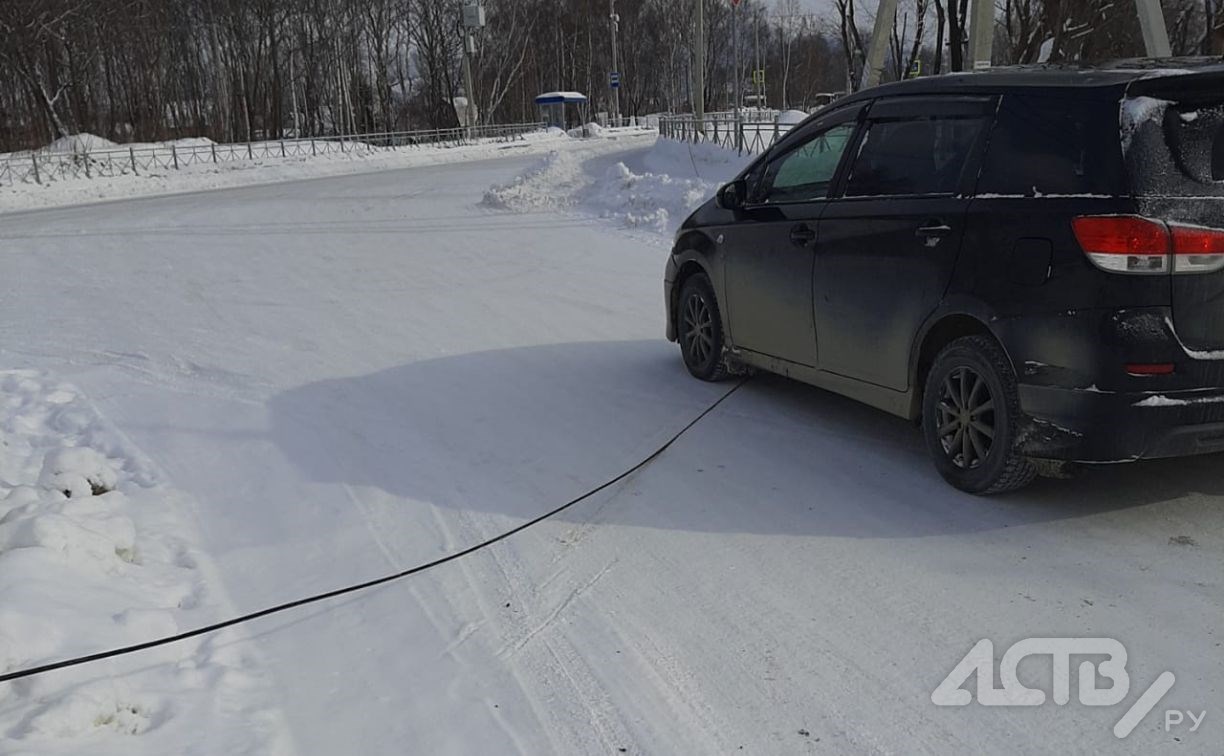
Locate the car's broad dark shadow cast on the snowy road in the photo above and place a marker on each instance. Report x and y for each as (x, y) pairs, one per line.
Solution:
(520, 431)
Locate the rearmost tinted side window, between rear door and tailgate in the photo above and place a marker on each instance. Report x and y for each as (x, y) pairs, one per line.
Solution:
(1054, 146)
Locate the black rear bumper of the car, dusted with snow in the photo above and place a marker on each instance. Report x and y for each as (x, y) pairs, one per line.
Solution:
(1094, 426)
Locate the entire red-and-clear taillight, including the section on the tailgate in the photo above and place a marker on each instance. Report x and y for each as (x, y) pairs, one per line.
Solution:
(1130, 244)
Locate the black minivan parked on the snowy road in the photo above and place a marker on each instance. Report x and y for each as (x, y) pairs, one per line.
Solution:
(1030, 261)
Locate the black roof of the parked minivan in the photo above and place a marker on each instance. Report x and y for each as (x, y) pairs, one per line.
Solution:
(1111, 78)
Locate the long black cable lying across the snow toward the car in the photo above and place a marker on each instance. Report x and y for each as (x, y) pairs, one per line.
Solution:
(302, 602)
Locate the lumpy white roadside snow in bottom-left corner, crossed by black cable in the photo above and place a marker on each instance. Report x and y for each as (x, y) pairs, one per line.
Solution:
(97, 554)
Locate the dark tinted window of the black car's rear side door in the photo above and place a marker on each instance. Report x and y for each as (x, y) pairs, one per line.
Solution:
(914, 157)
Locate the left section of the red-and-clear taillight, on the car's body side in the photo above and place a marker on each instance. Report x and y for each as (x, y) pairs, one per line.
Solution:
(1124, 244)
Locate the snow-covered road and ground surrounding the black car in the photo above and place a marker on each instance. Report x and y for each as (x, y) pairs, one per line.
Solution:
(223, 401)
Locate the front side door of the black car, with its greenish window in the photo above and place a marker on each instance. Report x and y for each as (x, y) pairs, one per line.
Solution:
(771, 249)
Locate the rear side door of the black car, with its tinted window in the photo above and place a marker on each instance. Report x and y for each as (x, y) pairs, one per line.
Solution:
(889, 242)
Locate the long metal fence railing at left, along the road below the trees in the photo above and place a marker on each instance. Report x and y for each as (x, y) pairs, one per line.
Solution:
(45, 167)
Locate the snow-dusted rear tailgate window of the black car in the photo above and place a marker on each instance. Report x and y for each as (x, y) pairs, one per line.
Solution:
(1174, 149)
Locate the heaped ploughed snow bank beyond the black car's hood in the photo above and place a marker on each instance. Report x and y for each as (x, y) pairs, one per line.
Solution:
(674, 180)
